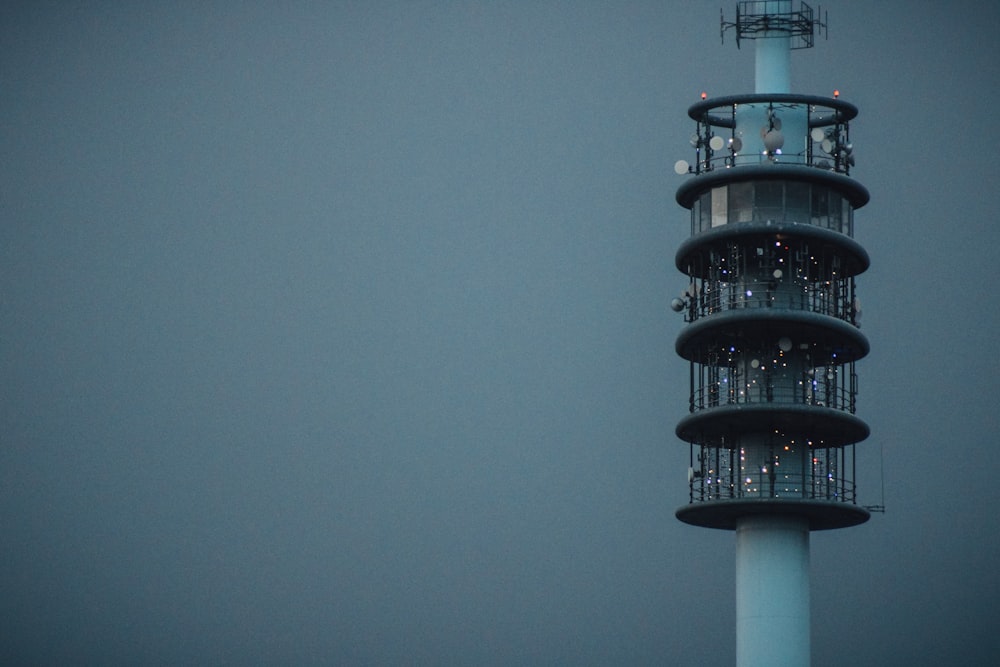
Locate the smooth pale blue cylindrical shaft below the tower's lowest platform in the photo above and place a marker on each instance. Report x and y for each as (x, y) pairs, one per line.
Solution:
(772, 591)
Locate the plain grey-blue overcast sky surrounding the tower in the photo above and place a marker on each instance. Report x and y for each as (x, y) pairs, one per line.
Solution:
(339, 333)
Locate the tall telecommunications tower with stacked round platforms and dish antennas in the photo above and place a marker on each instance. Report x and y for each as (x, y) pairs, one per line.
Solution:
(771, 329)
